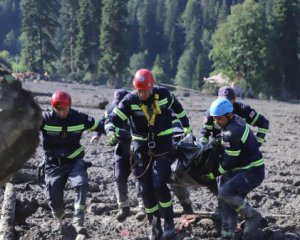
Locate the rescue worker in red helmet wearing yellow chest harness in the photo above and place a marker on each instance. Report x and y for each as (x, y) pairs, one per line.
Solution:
(148, 110)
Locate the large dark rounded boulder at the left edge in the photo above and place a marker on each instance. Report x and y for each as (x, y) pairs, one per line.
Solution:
(20, 119)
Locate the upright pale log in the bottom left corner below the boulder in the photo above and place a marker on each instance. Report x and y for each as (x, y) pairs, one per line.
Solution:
(8, 213)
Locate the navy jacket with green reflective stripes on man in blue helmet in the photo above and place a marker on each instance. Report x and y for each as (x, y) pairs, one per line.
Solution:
(241, 148)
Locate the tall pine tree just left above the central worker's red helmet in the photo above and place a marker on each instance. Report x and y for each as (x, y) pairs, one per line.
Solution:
(113, 45)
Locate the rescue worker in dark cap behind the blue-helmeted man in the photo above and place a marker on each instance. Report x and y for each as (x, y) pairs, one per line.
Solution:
(245, 111)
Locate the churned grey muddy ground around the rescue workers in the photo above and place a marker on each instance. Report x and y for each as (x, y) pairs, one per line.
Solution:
(277, 198)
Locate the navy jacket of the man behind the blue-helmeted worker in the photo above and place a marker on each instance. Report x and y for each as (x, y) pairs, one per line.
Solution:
(245, 111)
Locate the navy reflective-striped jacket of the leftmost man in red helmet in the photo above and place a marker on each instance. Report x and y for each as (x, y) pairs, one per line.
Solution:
(61, 137)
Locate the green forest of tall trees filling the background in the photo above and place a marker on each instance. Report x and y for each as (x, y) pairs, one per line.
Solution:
(254, 43)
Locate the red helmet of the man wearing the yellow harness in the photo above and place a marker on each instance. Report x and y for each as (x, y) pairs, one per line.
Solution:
(143, 80)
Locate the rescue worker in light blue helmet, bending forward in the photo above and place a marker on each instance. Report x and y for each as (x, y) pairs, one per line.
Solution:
(242, 170)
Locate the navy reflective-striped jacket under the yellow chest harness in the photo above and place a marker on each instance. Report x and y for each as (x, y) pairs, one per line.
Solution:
(129, 109)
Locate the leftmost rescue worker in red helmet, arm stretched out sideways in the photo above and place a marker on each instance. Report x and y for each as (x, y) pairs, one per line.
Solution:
(62, 129)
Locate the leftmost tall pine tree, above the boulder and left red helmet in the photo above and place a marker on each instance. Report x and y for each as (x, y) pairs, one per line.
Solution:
(38, 30)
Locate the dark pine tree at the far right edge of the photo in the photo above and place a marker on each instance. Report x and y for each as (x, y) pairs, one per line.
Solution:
(285, 62)
